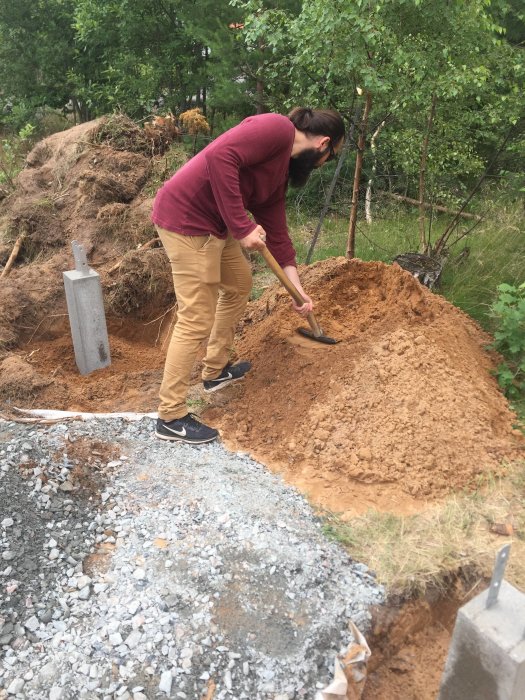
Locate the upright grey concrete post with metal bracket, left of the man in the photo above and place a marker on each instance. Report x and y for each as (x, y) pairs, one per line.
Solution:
(87, 319)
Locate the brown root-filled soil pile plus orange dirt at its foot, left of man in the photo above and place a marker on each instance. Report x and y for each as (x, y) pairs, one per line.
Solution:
(84, 184)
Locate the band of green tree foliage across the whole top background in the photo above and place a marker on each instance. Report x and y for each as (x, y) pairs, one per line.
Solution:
(234, 58)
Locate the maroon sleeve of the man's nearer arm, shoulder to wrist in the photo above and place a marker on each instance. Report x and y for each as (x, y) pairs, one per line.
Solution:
(249, 144)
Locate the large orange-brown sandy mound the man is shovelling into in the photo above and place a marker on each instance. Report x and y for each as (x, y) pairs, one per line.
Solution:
(405, 403)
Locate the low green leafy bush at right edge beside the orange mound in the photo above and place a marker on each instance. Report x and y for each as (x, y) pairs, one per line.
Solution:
(509, 337)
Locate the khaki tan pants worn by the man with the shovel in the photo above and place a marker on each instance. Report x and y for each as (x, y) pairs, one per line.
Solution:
(212, 281)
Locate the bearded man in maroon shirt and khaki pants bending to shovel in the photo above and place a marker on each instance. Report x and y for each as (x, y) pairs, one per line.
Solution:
(200, 216)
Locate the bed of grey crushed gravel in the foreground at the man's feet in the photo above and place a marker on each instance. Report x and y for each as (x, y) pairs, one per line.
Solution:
(132, 568)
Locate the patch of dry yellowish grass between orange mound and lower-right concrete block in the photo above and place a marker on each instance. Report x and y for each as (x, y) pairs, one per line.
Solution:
(410, 554)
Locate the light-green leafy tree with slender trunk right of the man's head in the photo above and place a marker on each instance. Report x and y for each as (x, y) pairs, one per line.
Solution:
(408, 55)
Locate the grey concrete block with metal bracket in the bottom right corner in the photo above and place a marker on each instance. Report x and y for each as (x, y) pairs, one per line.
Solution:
(486, 659)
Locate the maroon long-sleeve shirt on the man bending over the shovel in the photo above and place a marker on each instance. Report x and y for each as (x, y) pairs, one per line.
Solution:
(245, 168)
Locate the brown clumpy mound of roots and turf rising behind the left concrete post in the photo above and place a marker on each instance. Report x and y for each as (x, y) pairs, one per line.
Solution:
(83, 184)
